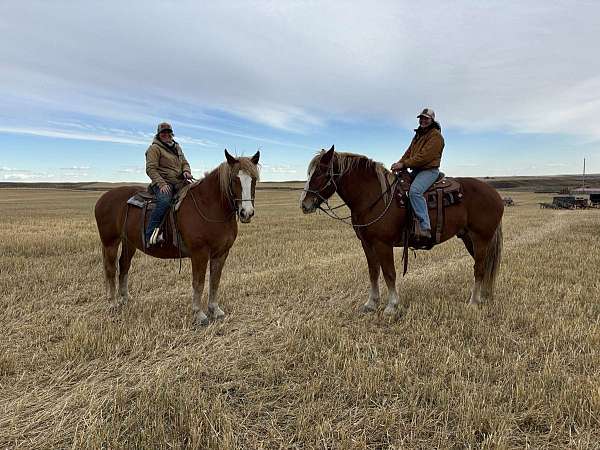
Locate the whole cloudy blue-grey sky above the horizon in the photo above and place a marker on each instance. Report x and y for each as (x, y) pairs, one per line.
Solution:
(83, 84)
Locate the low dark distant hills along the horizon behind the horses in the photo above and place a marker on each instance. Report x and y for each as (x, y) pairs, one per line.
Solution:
(554, 183)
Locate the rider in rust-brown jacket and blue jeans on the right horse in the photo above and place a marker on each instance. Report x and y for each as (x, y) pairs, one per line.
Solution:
(423, 156)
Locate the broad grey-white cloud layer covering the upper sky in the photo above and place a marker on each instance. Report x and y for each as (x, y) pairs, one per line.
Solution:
(295, 66)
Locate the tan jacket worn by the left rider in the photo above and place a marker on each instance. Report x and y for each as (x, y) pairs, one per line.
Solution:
(164, 166)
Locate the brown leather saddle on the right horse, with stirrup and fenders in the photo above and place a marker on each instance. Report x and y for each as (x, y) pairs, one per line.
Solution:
(442, 193)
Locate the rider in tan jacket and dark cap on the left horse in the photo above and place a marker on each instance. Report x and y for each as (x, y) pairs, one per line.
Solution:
(169, 171)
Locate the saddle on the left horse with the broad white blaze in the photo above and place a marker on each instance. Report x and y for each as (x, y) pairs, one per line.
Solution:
(145, 200)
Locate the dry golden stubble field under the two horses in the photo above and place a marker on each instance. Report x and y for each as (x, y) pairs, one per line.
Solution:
(294, 364)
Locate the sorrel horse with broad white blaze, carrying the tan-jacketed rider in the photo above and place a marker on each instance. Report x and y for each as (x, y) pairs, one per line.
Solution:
(206, 220)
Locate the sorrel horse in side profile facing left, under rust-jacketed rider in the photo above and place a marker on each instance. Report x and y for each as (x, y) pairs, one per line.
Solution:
(477, 220)
